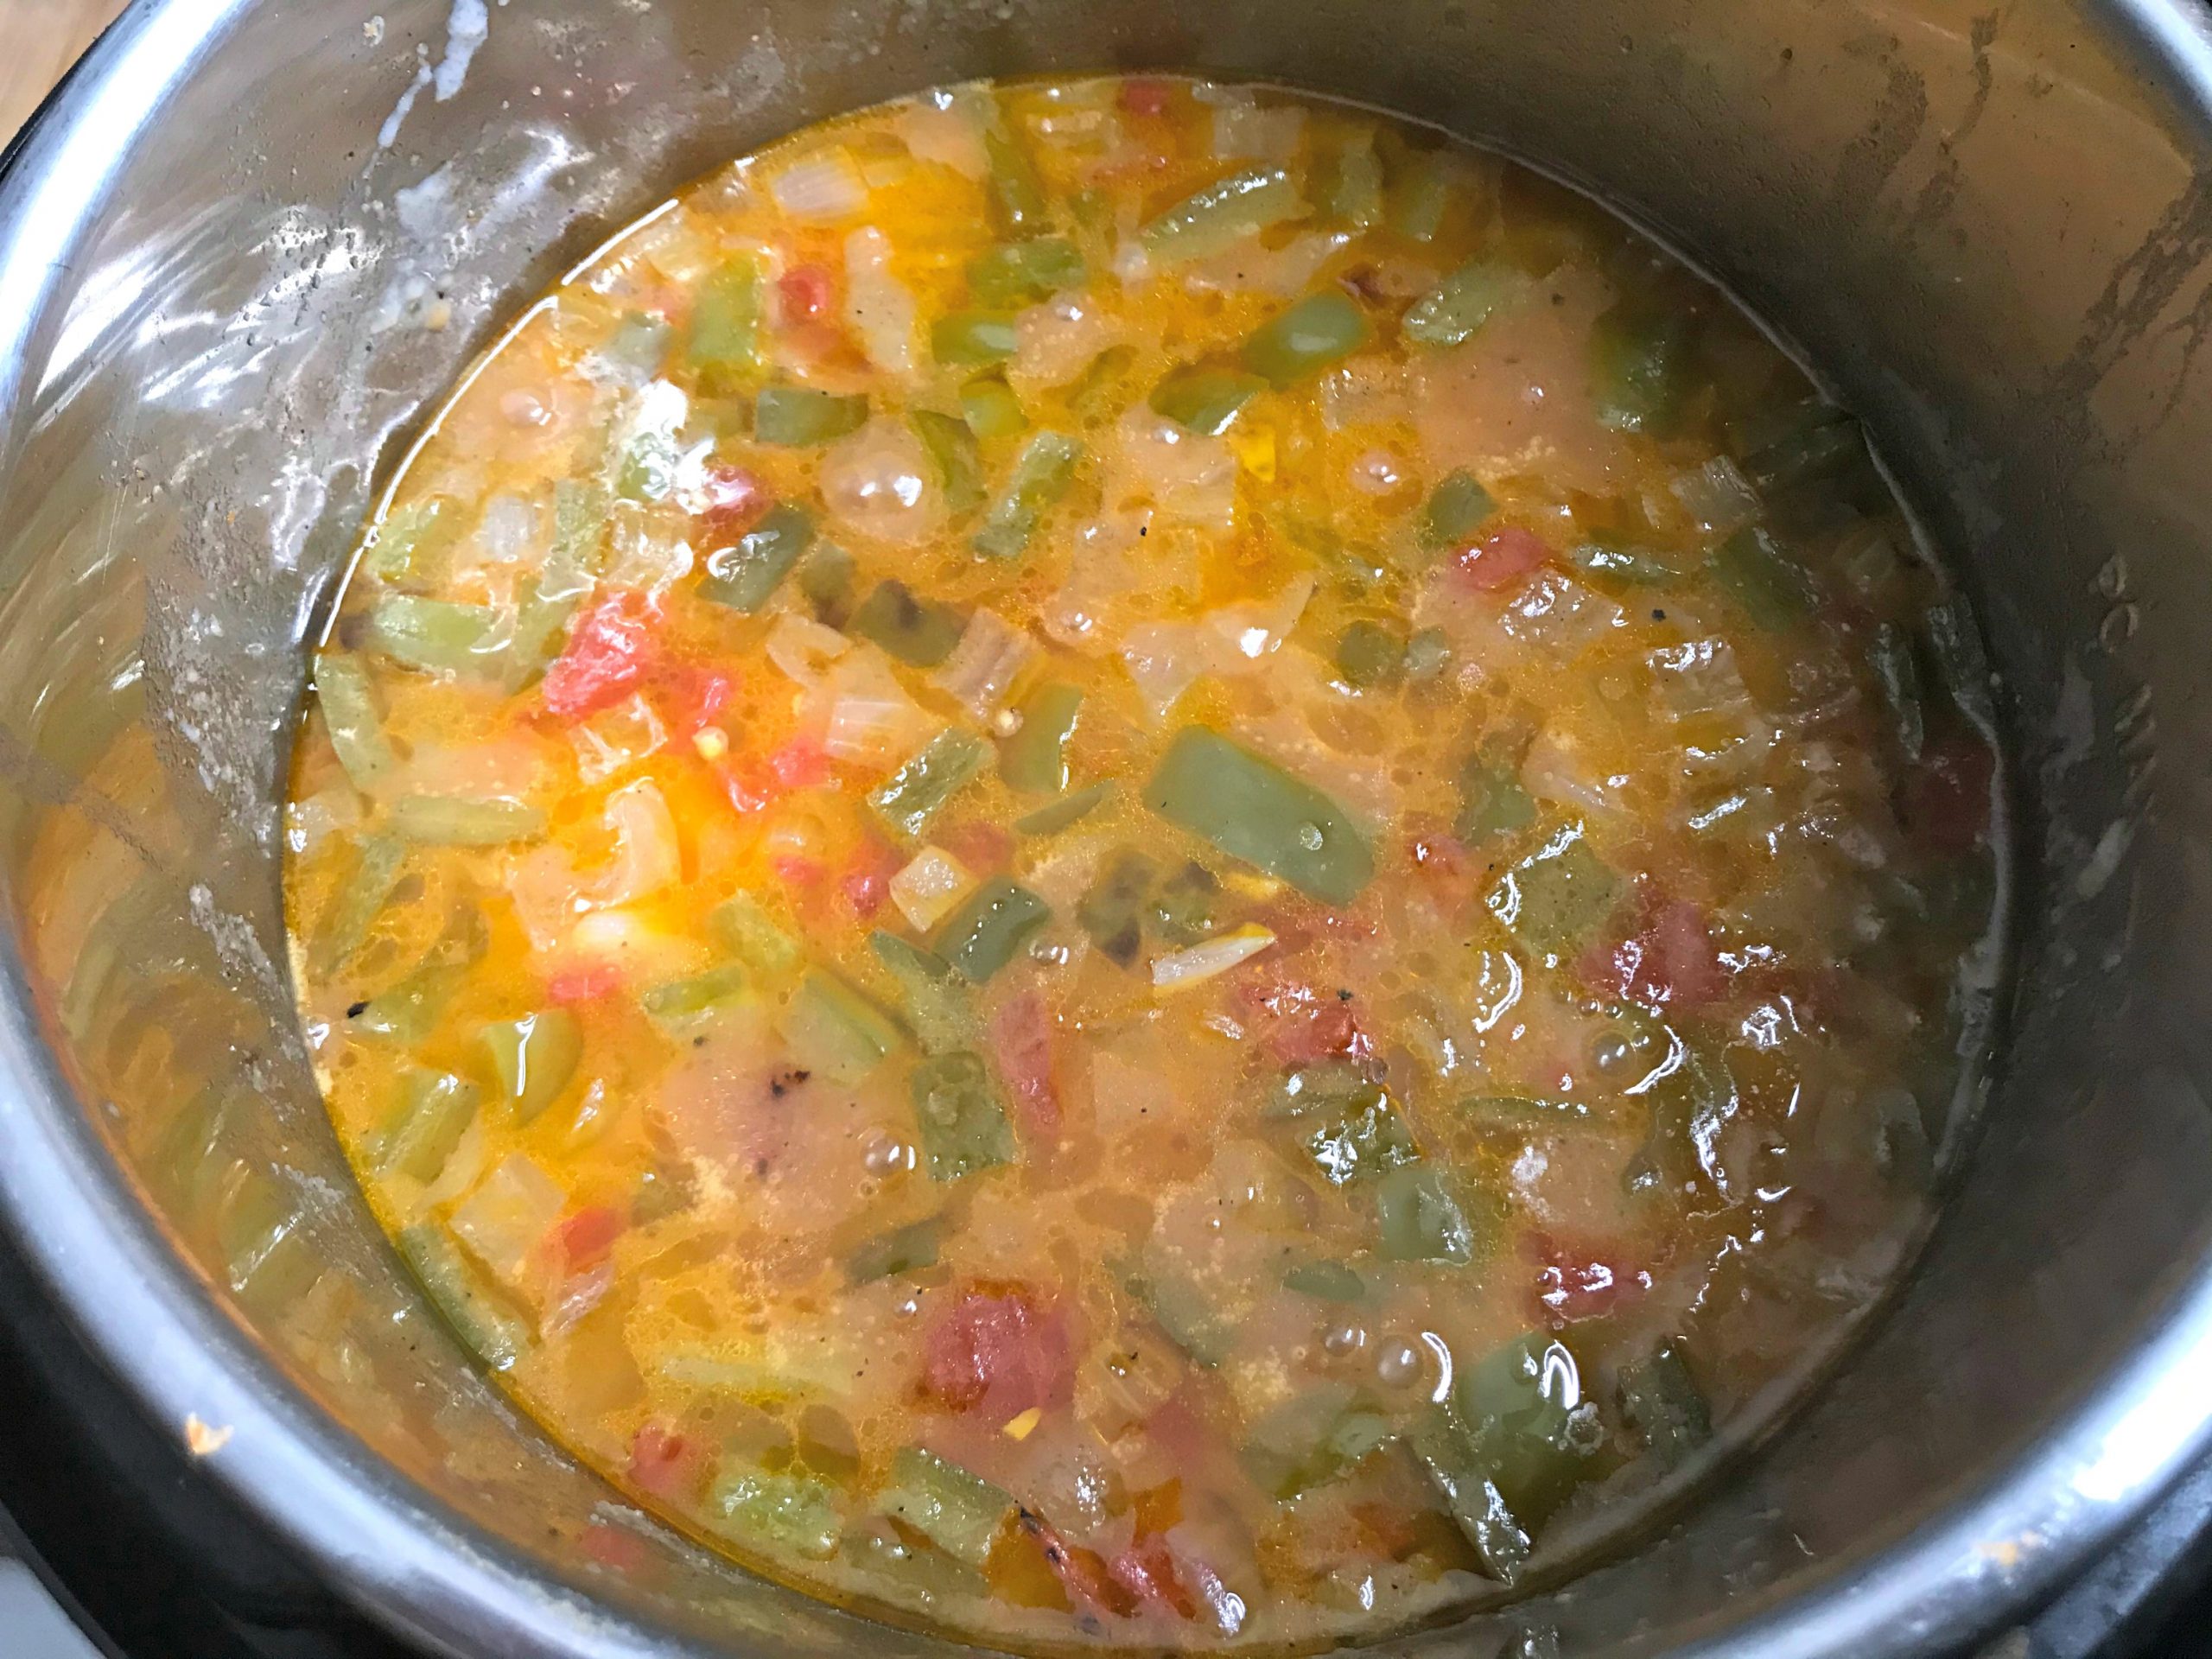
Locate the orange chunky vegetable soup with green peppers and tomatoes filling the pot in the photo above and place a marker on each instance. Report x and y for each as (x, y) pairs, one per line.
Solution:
(1129, 862)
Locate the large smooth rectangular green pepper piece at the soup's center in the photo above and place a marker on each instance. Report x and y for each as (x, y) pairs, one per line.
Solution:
(1260, 813)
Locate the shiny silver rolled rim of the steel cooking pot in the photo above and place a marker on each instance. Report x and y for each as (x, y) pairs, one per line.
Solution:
(437, 1578)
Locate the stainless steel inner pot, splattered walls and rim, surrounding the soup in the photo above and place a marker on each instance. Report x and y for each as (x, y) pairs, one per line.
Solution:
(249, 240)
